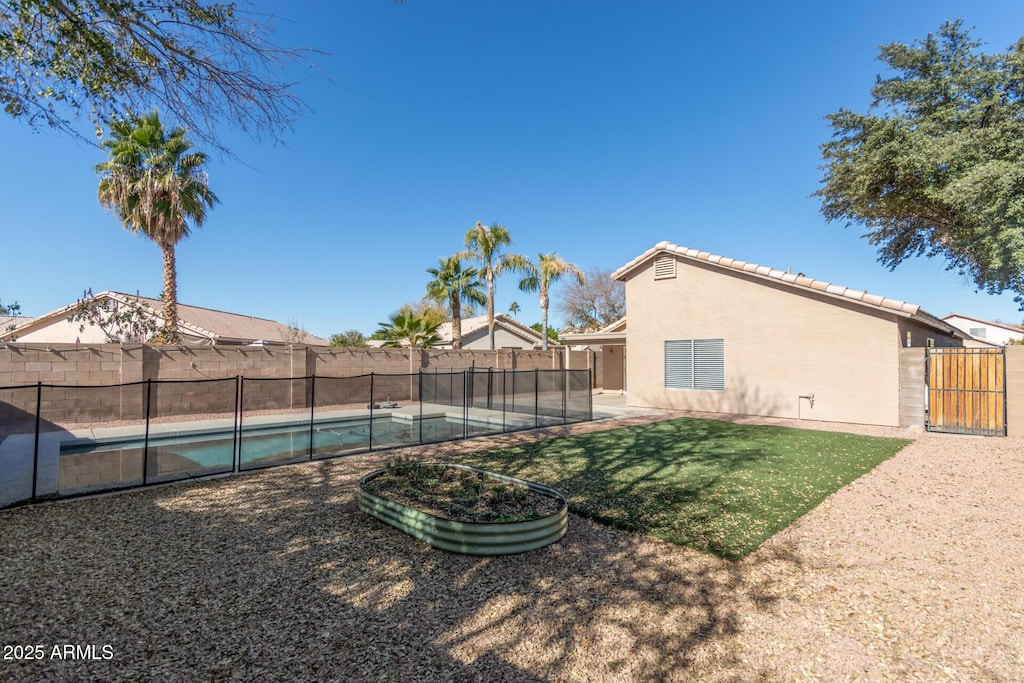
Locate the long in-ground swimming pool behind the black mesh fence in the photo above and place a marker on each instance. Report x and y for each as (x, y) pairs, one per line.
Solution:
(217, 451)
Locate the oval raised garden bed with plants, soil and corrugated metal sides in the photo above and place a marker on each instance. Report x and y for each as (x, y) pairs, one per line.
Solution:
(464, 509)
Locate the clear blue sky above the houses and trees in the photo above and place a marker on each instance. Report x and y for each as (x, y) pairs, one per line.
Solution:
(592, 129)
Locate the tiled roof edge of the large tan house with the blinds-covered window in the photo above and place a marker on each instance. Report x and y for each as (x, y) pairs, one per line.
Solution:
(797, 282)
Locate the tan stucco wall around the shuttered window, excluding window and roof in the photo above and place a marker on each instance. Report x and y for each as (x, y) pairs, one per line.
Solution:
(780, 345)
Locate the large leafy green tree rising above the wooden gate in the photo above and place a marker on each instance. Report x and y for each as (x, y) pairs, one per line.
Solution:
(936, 166)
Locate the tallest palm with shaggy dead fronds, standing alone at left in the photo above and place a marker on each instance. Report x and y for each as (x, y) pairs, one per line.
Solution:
(156, 187)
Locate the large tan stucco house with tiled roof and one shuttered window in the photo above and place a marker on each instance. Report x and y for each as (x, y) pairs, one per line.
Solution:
(711, 333)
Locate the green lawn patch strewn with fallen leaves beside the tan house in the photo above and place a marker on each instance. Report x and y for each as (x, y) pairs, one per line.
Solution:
(715, 487)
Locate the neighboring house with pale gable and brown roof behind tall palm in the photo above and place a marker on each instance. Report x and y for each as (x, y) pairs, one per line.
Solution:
(197, 326)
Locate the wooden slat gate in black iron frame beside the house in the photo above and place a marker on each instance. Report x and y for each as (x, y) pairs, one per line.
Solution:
(967, 392)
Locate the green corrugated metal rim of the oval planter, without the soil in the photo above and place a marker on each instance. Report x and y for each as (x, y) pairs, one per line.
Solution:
(471, 538)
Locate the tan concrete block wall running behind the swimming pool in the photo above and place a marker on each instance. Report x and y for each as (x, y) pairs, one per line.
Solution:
(87, 372)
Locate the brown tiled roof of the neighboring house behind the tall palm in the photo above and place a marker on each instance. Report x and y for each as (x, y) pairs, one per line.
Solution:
(198, 324)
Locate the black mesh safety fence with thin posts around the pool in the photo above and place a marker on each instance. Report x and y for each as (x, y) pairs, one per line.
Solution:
(59, 442)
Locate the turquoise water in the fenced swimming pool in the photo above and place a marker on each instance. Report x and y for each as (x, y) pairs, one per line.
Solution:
(216, 451)
